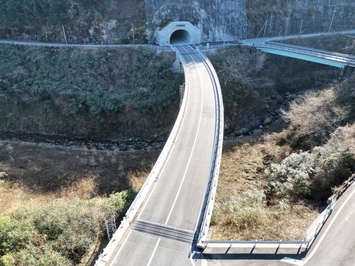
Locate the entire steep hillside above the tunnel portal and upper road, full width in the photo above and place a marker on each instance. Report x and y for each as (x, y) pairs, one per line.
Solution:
(125, 21)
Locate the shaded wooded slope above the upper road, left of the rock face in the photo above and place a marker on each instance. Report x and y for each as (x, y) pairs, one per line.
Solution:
(77, 20)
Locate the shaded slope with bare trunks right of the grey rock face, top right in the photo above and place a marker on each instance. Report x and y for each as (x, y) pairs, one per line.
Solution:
(280, 17)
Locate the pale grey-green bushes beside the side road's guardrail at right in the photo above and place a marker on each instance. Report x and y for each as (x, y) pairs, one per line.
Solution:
(313, 174)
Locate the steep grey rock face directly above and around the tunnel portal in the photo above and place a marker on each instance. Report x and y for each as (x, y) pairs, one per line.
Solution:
(218, 20)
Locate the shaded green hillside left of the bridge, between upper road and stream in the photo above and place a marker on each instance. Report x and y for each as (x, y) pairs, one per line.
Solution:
(88, 92)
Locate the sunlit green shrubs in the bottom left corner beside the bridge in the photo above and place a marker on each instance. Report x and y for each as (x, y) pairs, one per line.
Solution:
(59, 233)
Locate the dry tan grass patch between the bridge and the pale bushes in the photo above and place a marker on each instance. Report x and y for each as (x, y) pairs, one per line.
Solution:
(241, 211)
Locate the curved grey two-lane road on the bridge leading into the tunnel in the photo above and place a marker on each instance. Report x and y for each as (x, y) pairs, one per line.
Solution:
(166, 225)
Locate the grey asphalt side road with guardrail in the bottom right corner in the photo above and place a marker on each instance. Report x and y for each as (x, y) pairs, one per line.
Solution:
(334, 246)
